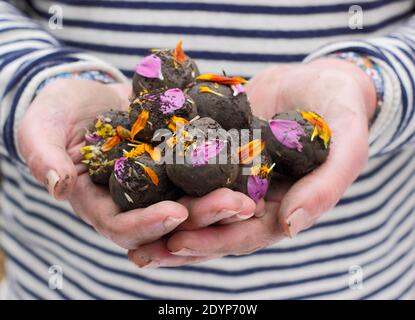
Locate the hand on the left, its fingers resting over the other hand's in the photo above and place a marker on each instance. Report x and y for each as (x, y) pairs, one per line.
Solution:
(50, 136)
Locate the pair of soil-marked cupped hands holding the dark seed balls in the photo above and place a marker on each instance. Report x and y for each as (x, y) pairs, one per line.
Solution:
(223, 222)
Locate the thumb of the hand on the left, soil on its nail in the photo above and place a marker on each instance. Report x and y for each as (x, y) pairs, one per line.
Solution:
(42, 143)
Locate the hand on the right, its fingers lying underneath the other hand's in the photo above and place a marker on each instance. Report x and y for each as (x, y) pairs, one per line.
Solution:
(345, 97)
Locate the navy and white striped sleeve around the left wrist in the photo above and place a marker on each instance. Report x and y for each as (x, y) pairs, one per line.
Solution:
(29, 55)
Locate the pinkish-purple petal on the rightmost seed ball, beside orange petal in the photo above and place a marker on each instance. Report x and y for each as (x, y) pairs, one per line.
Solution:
(288, 132)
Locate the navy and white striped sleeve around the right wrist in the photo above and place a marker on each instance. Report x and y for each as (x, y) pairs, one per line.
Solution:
(394, 126)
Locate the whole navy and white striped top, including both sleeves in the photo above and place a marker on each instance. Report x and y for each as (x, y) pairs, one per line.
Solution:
(373, 226)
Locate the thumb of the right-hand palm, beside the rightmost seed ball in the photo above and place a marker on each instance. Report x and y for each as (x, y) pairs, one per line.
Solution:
(320, 190)
